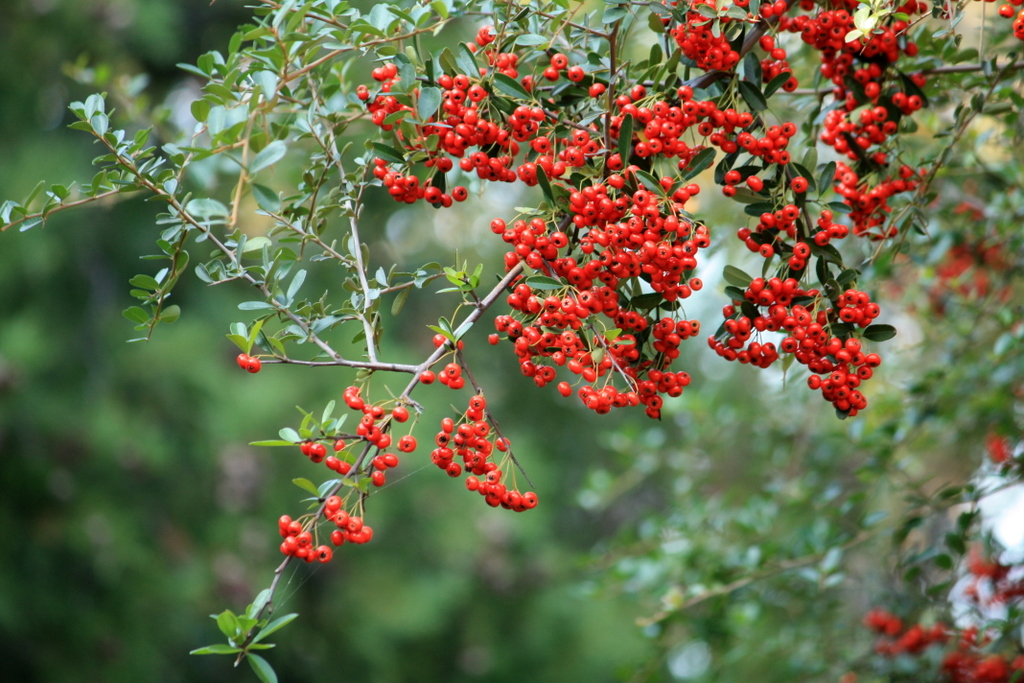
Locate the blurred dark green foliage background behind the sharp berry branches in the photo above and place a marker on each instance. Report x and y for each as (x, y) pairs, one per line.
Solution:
(132, 507)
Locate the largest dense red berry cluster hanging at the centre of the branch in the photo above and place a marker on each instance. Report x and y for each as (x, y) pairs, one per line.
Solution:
(625, 236)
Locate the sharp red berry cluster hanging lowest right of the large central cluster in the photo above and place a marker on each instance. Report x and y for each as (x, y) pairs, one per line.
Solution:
(807, 318)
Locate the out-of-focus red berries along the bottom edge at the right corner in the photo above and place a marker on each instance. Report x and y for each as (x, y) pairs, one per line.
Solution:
(966, 664)
